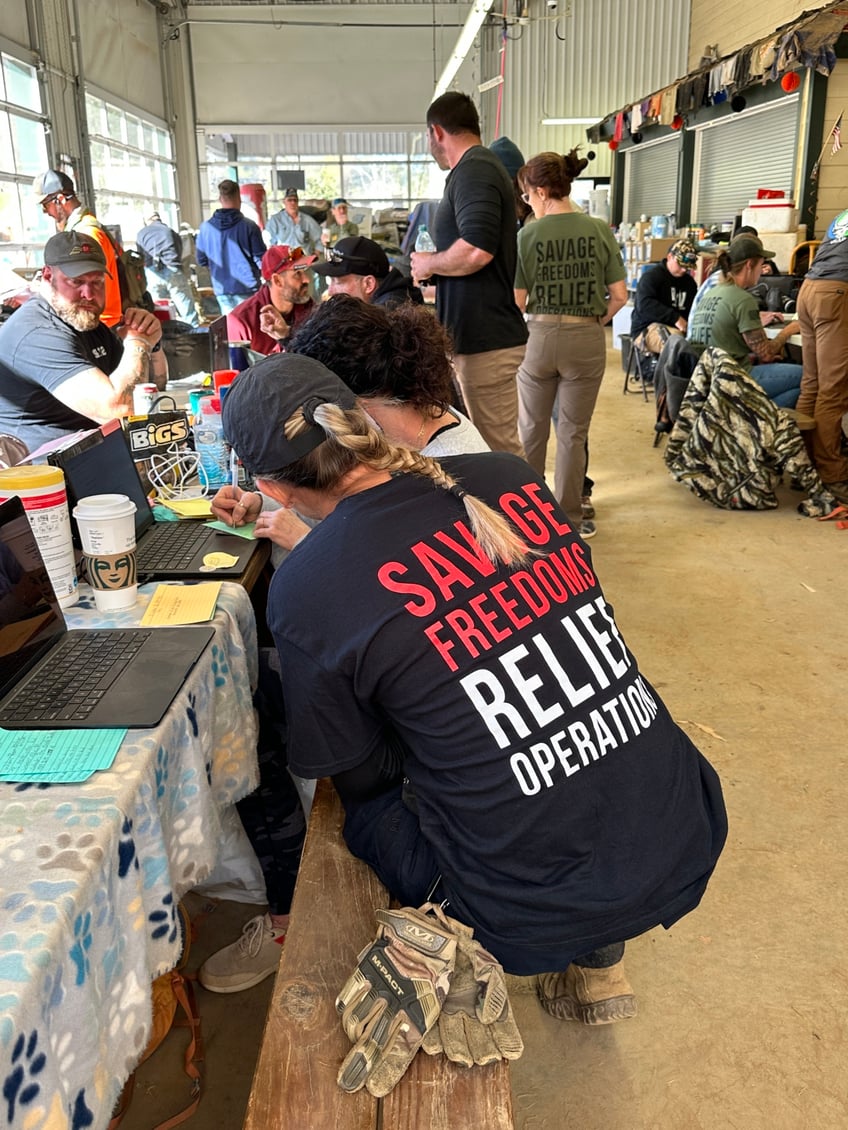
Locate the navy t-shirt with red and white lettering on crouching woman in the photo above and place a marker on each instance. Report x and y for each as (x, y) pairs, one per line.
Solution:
(565, 807)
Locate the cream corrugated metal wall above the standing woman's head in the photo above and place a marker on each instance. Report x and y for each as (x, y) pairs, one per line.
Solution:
(582, 60)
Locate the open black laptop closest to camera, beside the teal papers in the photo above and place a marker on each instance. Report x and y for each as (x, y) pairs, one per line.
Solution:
(53, 679)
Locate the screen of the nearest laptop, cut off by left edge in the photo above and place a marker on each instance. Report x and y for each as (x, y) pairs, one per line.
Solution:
(31, 620)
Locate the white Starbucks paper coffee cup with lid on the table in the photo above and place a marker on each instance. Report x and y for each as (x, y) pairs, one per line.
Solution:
(108, 532)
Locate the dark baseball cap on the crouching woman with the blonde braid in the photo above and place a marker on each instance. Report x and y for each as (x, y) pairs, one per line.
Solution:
(263, 398)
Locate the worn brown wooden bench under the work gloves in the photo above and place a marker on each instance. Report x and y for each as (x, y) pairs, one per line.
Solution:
(295, 1084)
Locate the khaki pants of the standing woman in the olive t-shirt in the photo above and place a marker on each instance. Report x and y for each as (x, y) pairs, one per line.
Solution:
(565, 367)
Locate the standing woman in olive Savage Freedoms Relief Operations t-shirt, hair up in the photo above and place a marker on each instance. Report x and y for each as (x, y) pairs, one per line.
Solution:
(570, 280)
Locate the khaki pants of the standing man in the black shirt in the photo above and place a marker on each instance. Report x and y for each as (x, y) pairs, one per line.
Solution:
(488, 384)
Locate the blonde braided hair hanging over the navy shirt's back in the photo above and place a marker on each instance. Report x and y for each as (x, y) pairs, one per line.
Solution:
(352, 442)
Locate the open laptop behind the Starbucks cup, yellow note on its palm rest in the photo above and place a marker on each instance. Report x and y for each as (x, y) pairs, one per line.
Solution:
(101, 462)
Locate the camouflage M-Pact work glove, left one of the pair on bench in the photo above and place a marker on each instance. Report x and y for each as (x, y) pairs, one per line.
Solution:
(394, 997)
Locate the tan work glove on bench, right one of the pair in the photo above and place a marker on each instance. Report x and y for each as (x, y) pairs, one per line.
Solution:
(477, 1023)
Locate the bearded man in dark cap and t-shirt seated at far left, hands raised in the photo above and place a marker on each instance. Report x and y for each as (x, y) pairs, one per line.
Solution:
(62, 370)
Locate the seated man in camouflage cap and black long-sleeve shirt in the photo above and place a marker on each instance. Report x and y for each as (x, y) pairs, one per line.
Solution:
(664, 298)
